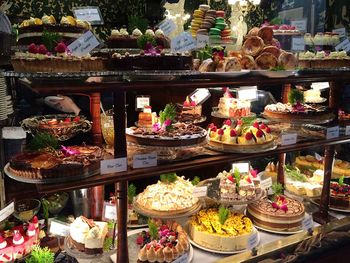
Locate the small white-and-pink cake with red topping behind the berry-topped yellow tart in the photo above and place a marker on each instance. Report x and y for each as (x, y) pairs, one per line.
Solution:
(230, 107)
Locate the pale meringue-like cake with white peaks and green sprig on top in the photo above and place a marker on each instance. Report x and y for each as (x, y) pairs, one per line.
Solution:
(168, 195)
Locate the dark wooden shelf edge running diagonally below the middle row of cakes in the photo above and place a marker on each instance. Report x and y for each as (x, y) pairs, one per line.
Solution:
(181, 166)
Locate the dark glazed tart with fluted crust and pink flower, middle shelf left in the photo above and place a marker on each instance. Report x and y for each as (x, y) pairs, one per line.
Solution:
(67, 162)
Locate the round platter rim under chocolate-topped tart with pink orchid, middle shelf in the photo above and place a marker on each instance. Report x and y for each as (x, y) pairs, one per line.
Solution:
(153, 140)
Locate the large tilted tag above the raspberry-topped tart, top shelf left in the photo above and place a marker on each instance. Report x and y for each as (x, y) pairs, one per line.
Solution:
(84, 44)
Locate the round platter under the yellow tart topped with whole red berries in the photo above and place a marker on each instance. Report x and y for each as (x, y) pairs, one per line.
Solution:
(234, 148)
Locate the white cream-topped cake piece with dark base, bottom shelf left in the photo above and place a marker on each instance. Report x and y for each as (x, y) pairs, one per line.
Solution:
(87, 235)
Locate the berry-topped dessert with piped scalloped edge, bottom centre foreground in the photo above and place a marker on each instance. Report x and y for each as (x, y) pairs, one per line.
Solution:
(162, 243)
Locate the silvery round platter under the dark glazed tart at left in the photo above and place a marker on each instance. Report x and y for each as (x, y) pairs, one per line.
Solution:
(85, 174)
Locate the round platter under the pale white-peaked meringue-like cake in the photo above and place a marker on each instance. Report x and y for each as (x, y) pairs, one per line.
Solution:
(167, 214)
